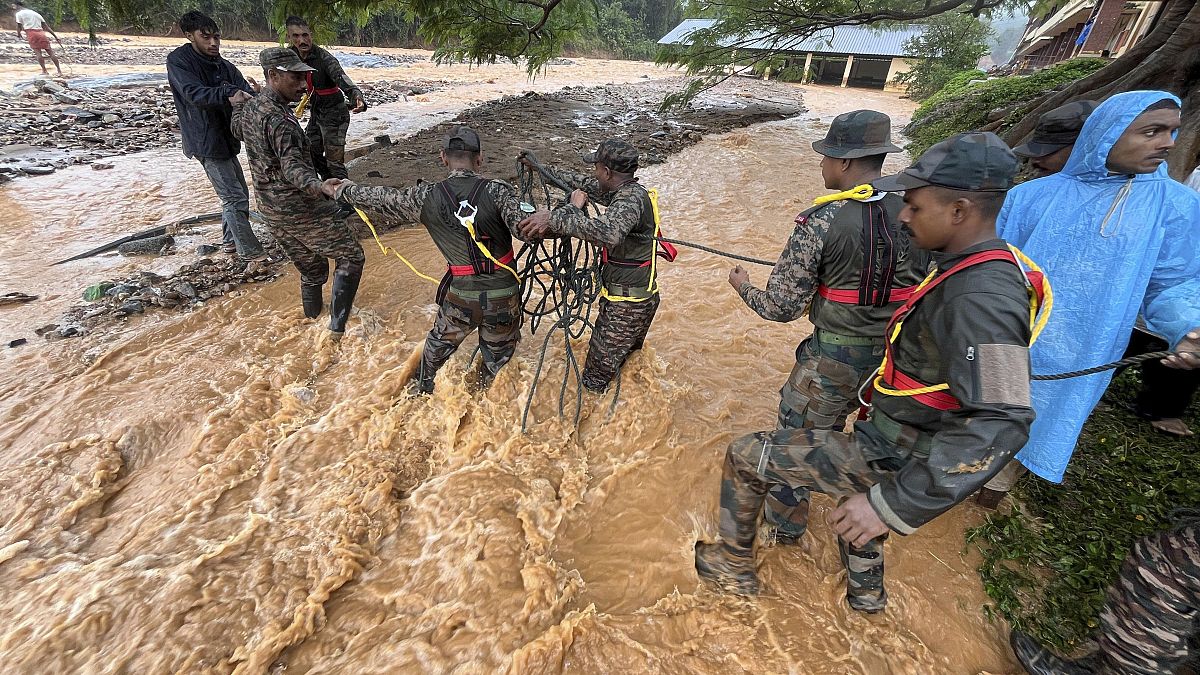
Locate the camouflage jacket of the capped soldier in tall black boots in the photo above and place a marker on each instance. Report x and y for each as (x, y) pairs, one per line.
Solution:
(280, 160)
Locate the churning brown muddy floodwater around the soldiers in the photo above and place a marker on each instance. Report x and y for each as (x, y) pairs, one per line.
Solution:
(230, 492)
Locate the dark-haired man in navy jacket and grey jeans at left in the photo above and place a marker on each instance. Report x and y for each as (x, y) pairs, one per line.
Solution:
(206, 87)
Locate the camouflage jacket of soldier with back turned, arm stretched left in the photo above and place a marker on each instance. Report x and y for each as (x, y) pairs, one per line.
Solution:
(405, 207)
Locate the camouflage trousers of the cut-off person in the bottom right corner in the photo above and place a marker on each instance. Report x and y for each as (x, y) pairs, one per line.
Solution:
(1153, 610)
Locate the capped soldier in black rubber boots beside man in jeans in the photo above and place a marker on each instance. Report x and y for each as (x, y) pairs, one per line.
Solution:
(304, 223)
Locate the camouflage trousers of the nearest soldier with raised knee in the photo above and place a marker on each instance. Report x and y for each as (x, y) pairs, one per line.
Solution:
(819, 461)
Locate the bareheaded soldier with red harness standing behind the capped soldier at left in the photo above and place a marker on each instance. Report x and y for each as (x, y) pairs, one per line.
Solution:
(329, 87)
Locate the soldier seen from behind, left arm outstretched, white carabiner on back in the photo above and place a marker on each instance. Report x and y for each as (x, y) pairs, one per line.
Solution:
(481, 291)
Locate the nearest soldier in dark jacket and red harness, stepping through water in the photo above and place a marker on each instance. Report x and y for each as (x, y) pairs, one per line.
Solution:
(919, 455)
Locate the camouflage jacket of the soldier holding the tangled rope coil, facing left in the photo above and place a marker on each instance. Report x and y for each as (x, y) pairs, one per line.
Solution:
(628, 211)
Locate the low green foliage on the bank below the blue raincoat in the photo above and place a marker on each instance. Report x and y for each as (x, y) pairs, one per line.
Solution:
(1047, 569)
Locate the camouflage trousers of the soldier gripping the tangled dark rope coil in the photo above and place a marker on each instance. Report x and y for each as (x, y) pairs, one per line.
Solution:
(620, 331)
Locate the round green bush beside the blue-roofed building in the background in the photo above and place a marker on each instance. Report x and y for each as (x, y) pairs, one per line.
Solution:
(952, 43)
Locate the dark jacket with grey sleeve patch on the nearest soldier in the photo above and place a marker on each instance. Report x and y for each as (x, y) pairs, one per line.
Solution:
(971, 332)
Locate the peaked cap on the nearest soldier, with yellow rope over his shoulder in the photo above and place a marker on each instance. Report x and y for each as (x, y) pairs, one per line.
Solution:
(977, 163)
